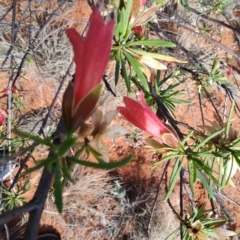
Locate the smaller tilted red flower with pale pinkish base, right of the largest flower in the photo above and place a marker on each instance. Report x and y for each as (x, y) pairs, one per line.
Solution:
(144, 118)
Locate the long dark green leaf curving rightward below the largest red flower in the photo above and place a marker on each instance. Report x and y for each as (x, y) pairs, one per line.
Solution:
(103, 165)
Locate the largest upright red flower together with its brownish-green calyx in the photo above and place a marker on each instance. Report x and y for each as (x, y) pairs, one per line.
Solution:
(91, 56)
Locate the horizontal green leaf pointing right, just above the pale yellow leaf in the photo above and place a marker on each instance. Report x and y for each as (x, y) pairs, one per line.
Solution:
(151, 42)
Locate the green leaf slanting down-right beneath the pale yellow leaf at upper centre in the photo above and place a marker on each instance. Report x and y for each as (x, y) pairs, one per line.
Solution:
(137, 68)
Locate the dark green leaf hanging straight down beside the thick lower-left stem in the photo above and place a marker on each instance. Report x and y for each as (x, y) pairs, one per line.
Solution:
(58, 188)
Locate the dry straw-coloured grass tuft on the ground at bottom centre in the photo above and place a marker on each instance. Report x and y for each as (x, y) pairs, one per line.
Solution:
(99, 206)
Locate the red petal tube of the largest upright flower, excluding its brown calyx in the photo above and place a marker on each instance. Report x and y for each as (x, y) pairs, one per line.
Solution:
(90, 54)
